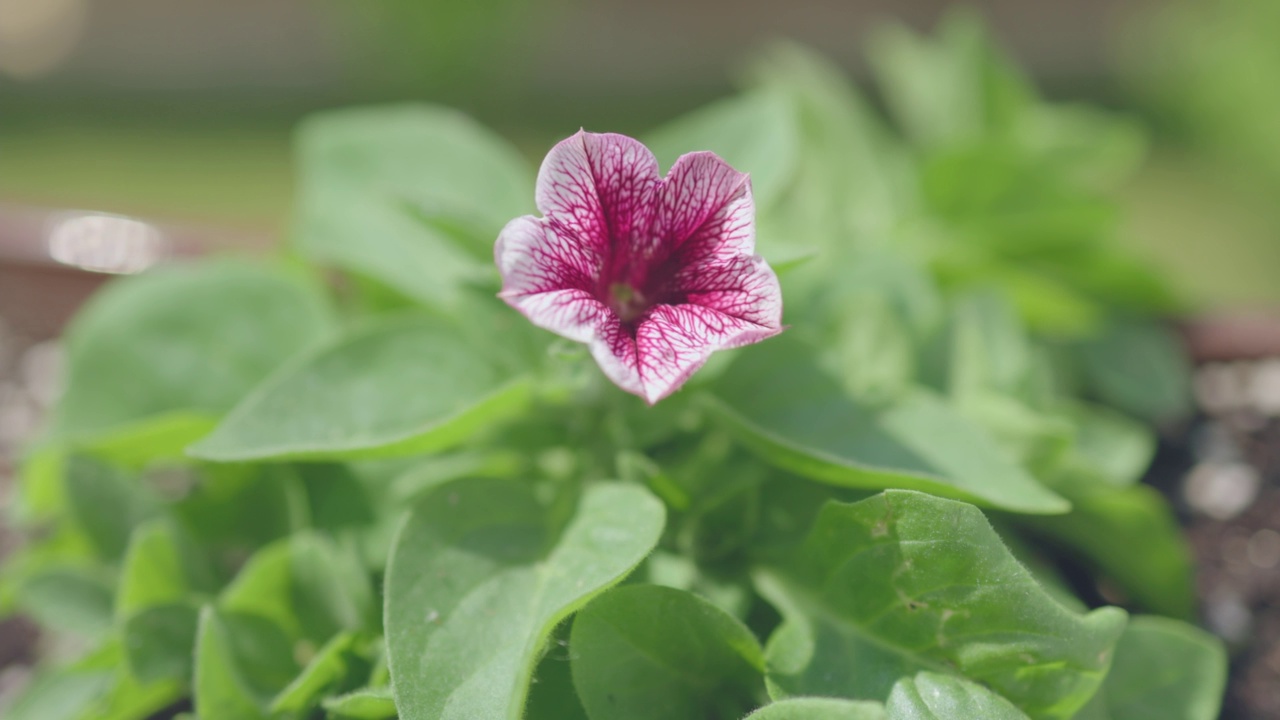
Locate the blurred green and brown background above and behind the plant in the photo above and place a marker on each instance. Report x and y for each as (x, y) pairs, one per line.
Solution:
(184, 111)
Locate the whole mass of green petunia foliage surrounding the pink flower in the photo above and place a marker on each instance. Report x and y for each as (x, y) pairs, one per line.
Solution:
(266, 496)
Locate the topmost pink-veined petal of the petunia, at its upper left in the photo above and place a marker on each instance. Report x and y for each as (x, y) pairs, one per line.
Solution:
(598, 189)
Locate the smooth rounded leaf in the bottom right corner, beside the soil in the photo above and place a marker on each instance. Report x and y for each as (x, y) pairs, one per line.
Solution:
(1163, 671)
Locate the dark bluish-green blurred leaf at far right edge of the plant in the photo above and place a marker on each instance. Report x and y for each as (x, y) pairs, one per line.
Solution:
(1141, 368)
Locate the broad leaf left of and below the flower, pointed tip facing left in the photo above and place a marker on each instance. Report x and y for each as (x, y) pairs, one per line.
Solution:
(399, 388)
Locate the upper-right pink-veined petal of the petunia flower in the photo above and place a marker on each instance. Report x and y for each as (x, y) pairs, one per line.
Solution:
(706, 211)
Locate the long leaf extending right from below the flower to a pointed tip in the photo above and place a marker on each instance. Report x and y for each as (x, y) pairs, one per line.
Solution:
(793, 414)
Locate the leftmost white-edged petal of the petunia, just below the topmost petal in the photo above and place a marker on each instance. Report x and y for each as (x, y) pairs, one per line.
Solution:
(533, 258)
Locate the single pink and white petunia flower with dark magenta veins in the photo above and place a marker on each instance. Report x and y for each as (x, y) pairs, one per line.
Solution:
(653, 274)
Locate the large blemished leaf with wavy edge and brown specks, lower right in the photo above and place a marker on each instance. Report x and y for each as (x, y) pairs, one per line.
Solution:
(906, 582)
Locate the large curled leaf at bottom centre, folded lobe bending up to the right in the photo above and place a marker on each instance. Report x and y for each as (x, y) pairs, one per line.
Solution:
(467, 648)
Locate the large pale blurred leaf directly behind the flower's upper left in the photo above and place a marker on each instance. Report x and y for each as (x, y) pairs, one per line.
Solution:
(410, 195)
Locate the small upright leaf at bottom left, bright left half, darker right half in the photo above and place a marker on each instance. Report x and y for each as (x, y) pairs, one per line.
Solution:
(243, 662)
